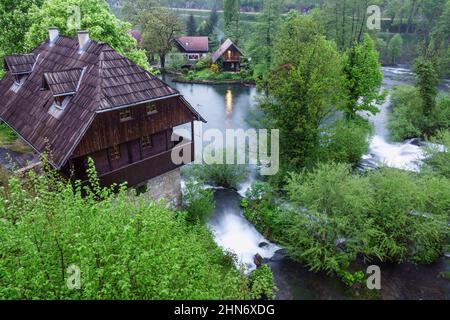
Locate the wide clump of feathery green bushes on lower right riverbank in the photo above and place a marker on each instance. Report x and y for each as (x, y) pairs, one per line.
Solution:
(387, 215)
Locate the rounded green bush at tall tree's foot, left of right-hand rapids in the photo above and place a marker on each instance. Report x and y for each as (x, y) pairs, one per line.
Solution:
(345, 141)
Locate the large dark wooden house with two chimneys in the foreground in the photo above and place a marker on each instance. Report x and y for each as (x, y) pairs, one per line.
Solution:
(81, 99)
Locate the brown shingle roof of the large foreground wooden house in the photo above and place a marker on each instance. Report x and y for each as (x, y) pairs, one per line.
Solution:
(109, 81)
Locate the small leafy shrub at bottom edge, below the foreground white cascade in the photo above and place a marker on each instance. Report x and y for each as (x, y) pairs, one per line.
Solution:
(262, 284)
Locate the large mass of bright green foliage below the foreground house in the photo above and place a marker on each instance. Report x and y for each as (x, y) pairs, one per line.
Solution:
(125, 246)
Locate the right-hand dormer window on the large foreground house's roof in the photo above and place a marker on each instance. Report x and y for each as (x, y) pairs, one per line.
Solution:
(63, 85)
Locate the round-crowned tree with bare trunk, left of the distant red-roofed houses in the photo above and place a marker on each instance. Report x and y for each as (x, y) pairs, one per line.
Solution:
(160, 27)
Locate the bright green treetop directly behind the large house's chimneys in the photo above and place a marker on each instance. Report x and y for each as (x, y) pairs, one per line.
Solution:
(95, 17)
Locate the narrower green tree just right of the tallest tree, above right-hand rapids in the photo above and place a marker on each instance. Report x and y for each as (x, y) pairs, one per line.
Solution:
(364, 77)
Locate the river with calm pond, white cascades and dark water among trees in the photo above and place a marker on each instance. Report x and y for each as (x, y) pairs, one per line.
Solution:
(227, 107)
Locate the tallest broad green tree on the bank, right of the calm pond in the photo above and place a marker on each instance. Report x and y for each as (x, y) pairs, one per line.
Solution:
(304, 86)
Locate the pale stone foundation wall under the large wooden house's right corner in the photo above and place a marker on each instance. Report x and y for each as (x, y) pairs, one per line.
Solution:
(166, 186)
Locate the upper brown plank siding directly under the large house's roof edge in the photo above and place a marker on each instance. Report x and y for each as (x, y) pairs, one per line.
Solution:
(107, 129)
